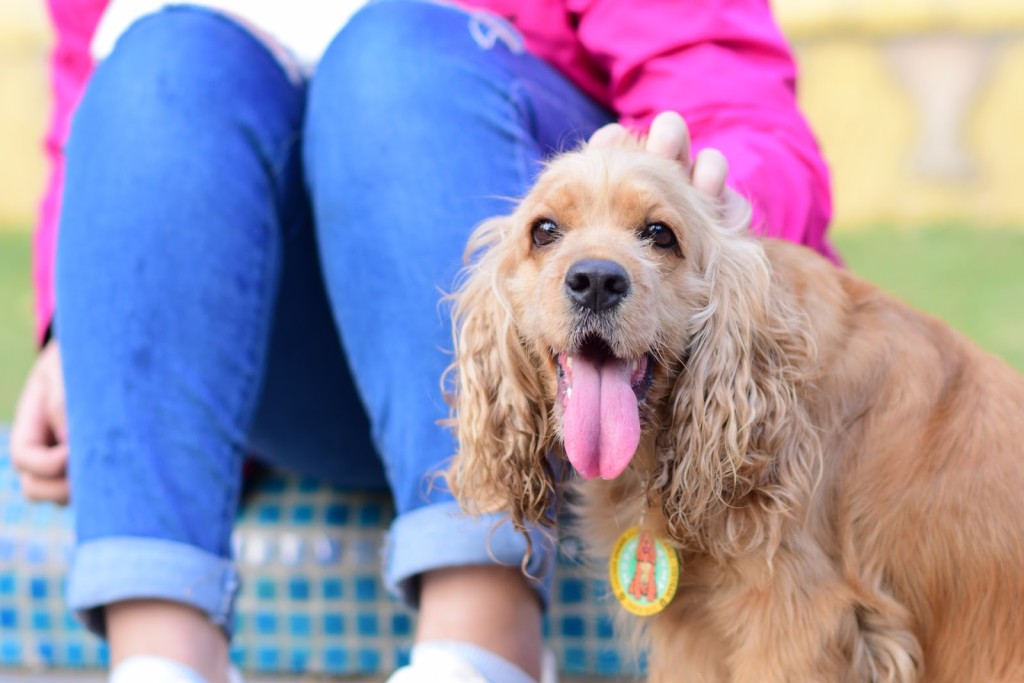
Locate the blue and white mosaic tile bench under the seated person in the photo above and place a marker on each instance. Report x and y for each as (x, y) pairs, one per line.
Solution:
(312, 602)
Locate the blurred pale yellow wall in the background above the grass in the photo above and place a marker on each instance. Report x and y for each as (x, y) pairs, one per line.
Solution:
(919, 106)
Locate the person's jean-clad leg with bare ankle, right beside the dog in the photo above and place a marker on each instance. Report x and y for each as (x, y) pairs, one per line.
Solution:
(422, 121)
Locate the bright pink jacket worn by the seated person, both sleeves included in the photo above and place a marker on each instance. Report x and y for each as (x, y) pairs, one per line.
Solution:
(723, 65)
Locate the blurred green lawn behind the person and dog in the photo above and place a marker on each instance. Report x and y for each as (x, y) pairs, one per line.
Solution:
(973, 279)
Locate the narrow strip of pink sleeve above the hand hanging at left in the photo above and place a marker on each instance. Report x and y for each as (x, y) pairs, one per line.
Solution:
(74, 23)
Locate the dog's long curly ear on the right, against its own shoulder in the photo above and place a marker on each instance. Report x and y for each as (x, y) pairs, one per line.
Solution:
(739, 437)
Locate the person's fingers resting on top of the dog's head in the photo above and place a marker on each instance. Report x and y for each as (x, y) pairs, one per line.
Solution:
(669, 138)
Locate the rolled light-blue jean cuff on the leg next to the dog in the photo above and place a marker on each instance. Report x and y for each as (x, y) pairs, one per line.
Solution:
(443, 536)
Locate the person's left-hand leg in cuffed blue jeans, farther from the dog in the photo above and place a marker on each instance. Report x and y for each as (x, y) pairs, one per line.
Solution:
(183, 166)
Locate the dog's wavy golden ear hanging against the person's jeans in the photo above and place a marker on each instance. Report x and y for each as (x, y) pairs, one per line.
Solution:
(500, 416)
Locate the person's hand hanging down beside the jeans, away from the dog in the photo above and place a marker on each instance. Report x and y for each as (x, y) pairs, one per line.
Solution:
(39, 438)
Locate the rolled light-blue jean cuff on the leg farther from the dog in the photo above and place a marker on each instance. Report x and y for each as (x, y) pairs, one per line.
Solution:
(118, 569)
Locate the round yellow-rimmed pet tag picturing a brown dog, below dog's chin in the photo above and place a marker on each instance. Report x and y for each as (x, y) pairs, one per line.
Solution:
(645, 573)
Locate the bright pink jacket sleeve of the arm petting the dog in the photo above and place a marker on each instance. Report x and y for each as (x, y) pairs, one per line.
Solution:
(726, 67)
